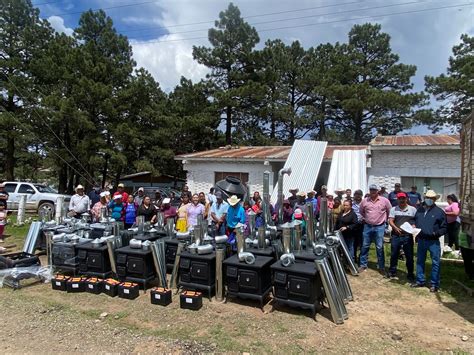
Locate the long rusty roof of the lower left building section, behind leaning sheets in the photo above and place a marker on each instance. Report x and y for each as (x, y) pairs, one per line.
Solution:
(278, 153)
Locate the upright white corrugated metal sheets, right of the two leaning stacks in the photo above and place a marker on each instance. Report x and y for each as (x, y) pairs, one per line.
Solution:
(348, 170)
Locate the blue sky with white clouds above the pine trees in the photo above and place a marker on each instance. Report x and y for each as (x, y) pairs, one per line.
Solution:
(163, 32)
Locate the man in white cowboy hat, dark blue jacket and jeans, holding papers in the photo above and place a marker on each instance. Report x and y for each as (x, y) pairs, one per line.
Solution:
(432, 222)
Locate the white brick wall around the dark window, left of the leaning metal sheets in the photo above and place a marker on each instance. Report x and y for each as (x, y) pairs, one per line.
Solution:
(200, 175)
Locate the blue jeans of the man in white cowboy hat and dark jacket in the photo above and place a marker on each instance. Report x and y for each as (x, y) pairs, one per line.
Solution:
(434, 247)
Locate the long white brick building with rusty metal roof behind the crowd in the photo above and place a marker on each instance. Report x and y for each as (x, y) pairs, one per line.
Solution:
(432, 161)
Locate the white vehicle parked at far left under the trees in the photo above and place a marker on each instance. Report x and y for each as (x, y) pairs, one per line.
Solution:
(39, 197)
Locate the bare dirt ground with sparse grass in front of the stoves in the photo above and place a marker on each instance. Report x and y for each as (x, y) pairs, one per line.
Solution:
(386, 316)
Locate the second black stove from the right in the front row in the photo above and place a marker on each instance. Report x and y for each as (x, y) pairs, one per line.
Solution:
(249, 281)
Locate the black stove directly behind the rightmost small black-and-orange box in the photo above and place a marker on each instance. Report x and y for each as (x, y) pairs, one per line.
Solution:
(197, 272)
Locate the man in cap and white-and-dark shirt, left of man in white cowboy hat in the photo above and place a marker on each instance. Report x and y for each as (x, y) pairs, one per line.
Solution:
(401, 239)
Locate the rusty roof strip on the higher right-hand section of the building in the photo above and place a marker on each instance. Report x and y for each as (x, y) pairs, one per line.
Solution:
(412, 140)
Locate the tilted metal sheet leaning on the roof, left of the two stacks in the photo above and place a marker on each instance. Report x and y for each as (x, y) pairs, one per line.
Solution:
(305, 160)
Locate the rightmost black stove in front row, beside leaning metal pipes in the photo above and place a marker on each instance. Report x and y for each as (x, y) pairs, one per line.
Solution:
(297, 285)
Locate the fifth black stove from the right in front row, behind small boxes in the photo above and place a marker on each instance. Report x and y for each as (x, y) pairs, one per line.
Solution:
(94, 261)
